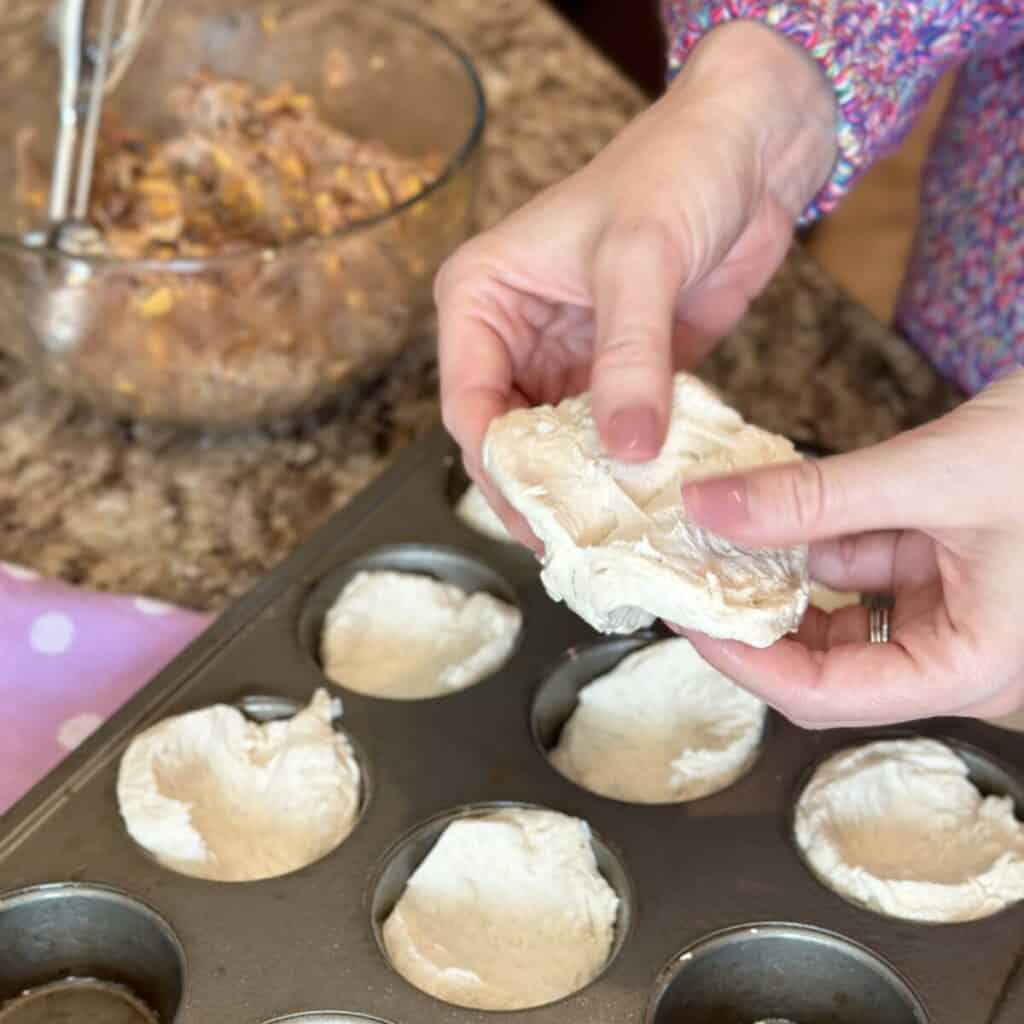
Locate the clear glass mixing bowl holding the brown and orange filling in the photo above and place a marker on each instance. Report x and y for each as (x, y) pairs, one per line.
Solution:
(243, 337)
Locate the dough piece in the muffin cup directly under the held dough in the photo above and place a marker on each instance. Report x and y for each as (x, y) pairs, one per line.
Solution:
(663, 727)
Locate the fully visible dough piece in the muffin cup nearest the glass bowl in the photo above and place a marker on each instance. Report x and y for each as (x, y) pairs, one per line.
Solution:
(406, 636)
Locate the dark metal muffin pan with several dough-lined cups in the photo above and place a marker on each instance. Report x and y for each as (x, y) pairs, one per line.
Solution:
(304, 948)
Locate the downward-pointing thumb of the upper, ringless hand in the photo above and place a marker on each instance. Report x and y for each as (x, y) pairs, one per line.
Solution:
(637, 277)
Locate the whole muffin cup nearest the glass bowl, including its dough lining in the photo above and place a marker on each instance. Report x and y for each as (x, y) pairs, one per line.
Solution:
(411, 622)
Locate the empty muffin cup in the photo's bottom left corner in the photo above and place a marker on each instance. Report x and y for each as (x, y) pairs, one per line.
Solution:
(87, 953)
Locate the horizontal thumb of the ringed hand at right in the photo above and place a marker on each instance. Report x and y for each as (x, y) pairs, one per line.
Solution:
(903, 484)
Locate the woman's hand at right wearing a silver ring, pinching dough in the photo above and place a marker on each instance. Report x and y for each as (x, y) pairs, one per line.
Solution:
(935, 517)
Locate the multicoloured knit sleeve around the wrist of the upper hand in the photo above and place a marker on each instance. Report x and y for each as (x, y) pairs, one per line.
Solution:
(883, 58)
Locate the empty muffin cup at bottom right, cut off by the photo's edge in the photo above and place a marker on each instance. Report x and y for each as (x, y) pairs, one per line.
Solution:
(796, 973)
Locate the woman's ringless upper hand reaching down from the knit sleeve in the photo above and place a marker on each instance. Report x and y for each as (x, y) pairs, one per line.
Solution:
(637, 265)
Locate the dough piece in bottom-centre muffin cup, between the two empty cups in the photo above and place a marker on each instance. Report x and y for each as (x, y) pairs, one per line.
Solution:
(507, 912)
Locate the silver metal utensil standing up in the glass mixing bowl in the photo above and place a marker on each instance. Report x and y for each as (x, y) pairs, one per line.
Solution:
(89, 74)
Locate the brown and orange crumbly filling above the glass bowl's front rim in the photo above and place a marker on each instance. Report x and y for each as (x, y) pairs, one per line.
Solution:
(243, 169)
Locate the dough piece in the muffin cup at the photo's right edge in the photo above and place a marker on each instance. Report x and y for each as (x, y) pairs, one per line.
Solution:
(898, 827)
